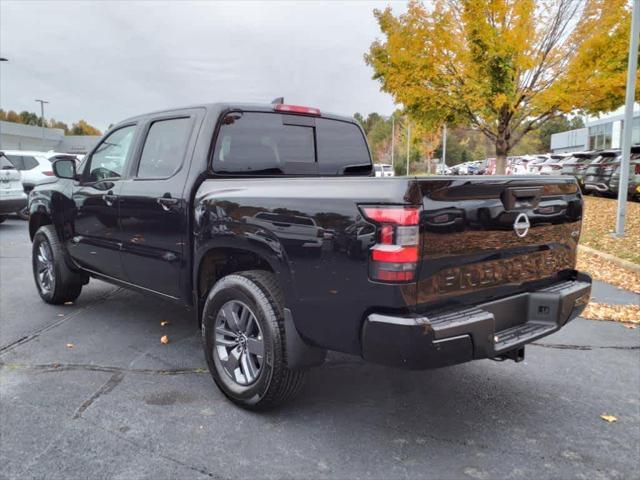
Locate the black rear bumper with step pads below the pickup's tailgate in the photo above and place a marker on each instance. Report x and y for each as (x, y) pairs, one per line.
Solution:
(457, 336)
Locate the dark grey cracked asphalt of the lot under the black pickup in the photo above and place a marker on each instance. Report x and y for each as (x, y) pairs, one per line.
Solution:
(119, 404)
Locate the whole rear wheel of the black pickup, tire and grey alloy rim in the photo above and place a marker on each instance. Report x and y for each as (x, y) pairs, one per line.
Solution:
(244, 343)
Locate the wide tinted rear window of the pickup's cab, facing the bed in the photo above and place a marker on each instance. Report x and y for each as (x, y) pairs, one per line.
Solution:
(262, 143)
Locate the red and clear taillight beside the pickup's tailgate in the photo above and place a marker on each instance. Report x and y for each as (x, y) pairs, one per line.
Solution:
(394, 256)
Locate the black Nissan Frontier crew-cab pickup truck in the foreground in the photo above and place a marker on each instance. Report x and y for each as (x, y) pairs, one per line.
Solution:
(267, 222)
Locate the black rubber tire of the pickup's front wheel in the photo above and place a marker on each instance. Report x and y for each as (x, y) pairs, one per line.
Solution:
(64, 284)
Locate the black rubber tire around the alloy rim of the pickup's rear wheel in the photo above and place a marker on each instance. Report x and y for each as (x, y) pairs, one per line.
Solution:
(275, 382)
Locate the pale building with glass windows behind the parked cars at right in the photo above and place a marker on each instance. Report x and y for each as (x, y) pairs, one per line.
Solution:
(598, 134)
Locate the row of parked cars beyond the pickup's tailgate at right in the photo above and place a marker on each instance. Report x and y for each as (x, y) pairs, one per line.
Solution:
(597, 171)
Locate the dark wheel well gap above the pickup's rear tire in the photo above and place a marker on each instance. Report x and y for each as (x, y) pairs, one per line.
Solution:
(219, 262)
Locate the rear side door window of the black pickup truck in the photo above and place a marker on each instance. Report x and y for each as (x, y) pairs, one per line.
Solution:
(164, 148)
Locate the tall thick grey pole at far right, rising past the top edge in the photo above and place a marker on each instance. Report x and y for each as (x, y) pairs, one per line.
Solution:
(628, 119)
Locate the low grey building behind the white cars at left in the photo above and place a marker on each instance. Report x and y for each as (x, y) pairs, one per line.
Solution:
(16, 136)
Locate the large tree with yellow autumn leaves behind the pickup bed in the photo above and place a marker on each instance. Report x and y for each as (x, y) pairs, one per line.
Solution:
(504, 67)
